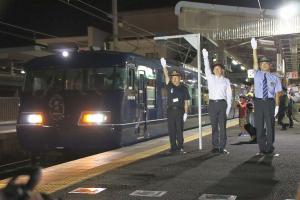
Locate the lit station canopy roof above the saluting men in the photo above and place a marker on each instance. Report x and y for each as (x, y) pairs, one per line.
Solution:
(233, 27)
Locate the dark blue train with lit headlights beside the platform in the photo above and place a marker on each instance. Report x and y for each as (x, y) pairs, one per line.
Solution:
(94, 99)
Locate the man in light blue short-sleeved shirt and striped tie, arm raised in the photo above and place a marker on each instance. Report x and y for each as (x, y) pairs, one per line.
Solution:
(266, 104)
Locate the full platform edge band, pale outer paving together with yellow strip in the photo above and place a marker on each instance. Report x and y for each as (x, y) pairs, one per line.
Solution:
(64, 175)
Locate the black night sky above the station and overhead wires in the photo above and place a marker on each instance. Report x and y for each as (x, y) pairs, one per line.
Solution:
(54, 17)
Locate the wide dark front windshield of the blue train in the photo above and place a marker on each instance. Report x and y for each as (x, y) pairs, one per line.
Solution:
(92, 79)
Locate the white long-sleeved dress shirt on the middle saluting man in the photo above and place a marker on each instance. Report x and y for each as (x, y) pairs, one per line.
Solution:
(218, 87)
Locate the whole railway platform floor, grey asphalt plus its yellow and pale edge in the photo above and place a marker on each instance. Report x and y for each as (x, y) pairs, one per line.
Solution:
(145, 169)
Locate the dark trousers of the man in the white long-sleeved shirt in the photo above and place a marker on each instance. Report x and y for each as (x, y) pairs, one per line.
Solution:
(217, 114)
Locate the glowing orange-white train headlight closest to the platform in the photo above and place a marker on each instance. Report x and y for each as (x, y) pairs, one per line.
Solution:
(88, 118)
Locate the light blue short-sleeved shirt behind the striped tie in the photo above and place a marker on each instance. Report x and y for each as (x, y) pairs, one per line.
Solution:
(274, 84)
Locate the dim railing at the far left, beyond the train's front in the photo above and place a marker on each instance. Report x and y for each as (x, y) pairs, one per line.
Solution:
(9, 107)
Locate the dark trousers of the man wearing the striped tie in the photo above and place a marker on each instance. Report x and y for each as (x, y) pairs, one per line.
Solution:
(265, 124)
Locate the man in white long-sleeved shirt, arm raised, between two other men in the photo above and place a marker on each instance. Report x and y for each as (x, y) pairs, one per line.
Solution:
(220, 96)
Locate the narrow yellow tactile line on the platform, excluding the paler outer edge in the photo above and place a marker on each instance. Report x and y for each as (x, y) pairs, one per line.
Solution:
(82, 176)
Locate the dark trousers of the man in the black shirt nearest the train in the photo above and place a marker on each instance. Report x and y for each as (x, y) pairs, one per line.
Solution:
(175, 127)
